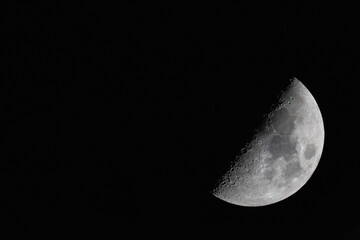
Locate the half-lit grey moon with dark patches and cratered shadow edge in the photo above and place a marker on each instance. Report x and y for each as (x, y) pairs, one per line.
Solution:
(282, 155)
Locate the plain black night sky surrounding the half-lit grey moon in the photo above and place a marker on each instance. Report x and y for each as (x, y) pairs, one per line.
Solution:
(118, 120)
